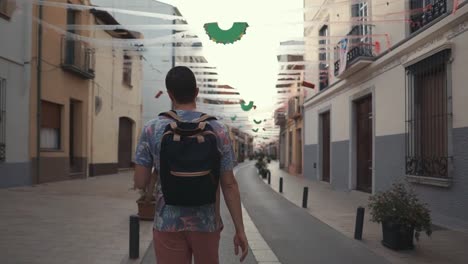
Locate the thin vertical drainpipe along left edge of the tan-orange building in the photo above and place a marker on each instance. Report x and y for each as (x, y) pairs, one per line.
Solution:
(39, 95)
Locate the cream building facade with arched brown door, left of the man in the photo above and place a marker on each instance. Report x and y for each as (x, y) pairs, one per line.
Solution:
(116, 102)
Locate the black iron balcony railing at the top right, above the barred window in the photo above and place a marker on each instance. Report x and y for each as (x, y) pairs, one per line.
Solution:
(427, 14)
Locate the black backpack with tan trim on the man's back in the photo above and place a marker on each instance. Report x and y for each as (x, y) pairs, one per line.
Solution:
(189, 161)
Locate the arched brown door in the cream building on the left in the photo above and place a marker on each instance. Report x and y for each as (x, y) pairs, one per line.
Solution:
(125, 142)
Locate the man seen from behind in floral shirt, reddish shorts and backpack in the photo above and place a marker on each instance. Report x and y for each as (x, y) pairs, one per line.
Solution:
(193, 157)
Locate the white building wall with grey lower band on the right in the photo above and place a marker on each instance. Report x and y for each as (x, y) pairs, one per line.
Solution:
(385, 79)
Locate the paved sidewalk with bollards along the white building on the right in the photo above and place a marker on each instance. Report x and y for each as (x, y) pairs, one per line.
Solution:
(338, 210)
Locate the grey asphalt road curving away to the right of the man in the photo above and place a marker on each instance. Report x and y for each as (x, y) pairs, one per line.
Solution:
(294, 235)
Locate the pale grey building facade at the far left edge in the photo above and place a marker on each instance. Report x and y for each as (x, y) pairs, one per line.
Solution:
(15, 78)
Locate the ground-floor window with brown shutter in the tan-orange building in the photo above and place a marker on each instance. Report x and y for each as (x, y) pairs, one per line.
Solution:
(51, 120)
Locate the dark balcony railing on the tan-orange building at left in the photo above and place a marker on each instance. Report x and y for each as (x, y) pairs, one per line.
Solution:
(77, 58)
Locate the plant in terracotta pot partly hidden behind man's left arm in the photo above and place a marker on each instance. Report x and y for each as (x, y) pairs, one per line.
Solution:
(147, 201)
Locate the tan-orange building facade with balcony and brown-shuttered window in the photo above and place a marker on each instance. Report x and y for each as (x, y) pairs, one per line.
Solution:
(60, 93)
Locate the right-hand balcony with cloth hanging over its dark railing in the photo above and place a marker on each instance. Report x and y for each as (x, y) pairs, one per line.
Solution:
(360, 49)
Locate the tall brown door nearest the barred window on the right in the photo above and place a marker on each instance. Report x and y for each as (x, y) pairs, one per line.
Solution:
(364, 144)
